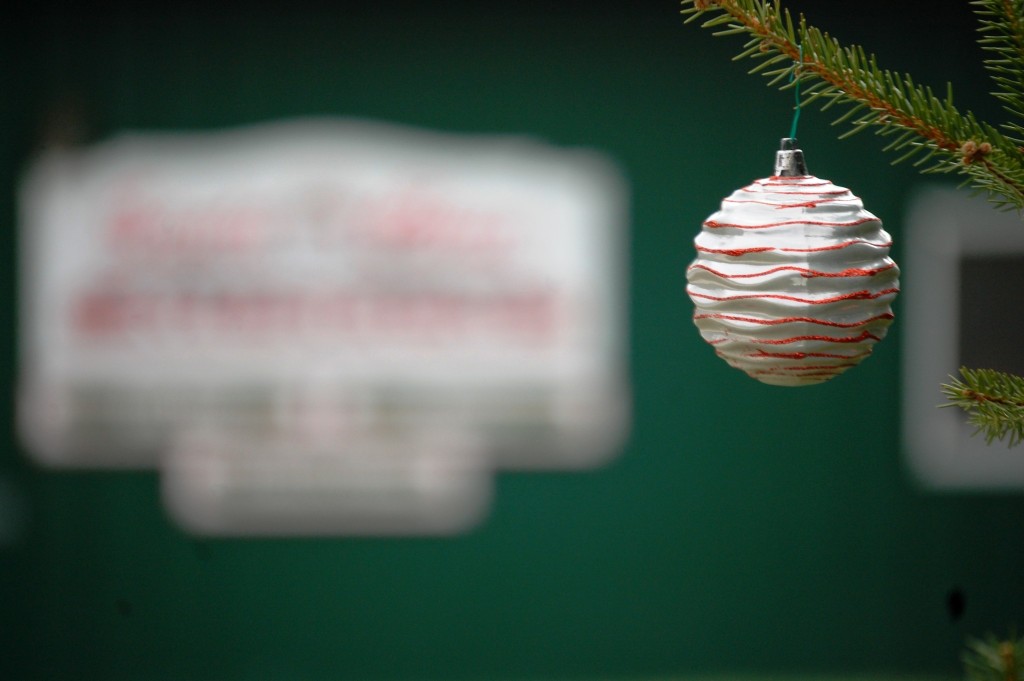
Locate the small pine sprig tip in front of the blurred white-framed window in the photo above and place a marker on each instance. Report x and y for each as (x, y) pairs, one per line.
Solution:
(994, 402)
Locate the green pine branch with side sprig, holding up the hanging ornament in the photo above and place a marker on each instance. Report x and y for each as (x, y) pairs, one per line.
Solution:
(923, 127)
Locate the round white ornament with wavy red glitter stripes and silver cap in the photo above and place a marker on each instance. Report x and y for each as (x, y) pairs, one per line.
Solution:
(793, 281)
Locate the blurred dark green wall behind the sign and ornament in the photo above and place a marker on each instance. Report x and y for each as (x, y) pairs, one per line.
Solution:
(745, 529)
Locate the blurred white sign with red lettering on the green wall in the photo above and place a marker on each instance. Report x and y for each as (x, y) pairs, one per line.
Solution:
(345, 297)
